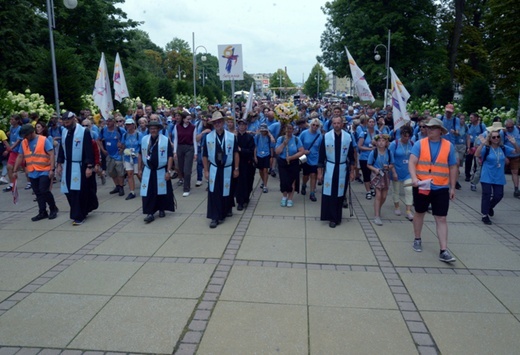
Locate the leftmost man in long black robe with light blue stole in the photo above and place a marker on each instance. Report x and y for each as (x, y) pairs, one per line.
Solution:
(75, 166)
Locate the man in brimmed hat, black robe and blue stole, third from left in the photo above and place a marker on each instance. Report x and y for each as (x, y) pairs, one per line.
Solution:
(220, 159)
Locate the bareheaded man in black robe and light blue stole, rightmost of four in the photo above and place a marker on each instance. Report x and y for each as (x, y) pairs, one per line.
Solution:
(336, 154)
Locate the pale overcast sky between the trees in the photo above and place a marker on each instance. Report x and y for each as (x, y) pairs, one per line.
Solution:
(273, 34)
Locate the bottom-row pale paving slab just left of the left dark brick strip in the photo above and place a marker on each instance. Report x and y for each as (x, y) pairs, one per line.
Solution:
(131, 324)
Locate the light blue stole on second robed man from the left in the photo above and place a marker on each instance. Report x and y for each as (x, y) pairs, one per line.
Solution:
(163, 162)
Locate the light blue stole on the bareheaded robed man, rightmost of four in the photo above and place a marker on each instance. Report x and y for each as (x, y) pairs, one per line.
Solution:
(329, 165)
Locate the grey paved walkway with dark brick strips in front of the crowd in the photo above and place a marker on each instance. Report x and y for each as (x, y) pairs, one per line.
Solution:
(268, 280)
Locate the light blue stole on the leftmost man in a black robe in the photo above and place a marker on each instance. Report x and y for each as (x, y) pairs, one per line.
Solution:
(75, 160)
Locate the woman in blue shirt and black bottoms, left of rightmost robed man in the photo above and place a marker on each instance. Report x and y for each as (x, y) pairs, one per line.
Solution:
(289, 149)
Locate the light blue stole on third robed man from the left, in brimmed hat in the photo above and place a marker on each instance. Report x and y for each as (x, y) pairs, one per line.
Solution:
(228, 147)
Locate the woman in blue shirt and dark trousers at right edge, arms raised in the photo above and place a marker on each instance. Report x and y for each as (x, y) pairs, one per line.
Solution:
(492, 177)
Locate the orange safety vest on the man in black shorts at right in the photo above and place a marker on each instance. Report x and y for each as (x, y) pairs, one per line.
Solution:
(438, 171)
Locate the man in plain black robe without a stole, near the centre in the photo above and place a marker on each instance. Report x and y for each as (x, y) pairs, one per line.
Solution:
(246, 148)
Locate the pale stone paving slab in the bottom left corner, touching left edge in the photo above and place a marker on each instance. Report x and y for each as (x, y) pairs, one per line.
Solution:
(48, 320)
